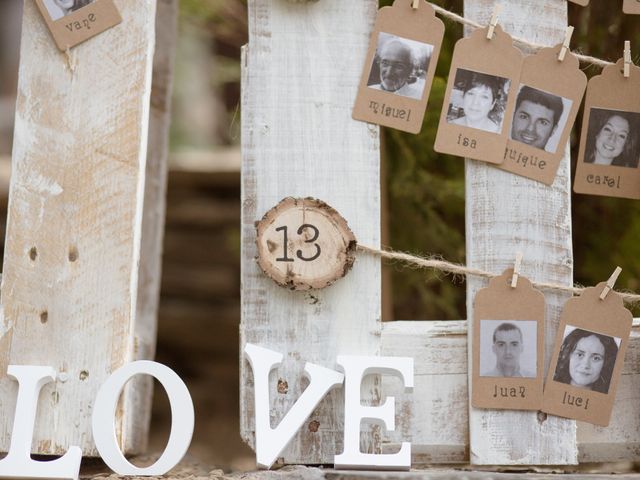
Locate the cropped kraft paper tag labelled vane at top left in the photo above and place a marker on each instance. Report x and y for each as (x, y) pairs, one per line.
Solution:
(73, 21)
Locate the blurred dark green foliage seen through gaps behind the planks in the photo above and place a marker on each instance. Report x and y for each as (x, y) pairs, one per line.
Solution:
(425, 190)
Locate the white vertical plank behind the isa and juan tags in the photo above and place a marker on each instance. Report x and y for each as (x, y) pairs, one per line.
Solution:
(505, 214)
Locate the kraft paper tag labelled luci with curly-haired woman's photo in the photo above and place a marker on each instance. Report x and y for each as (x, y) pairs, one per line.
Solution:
(588, 356)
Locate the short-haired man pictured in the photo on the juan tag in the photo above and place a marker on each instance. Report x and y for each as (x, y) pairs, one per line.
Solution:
(508, 347)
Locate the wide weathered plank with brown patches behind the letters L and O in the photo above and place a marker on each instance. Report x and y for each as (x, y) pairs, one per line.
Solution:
(69, 286)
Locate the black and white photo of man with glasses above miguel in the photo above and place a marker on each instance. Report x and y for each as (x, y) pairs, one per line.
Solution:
(400, 66)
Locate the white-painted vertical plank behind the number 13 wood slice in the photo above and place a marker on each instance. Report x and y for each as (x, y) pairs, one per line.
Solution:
(299, 85)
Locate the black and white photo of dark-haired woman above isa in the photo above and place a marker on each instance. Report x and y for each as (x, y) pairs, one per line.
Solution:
(478, 100)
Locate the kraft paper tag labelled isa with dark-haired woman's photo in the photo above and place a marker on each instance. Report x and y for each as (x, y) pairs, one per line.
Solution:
(480, 97)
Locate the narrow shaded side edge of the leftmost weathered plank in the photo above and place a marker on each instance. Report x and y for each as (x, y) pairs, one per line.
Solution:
(139, 392)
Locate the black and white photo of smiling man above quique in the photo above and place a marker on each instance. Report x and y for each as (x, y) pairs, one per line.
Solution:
(539, 118)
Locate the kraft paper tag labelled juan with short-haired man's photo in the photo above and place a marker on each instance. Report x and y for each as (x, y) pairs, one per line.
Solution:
(508, 345)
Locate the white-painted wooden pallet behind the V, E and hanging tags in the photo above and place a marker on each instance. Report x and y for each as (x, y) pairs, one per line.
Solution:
(300, 74)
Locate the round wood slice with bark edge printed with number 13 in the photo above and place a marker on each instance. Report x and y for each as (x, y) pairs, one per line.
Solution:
(304, 244)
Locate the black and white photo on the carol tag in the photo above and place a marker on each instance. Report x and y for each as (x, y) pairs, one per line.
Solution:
(612, 138)
